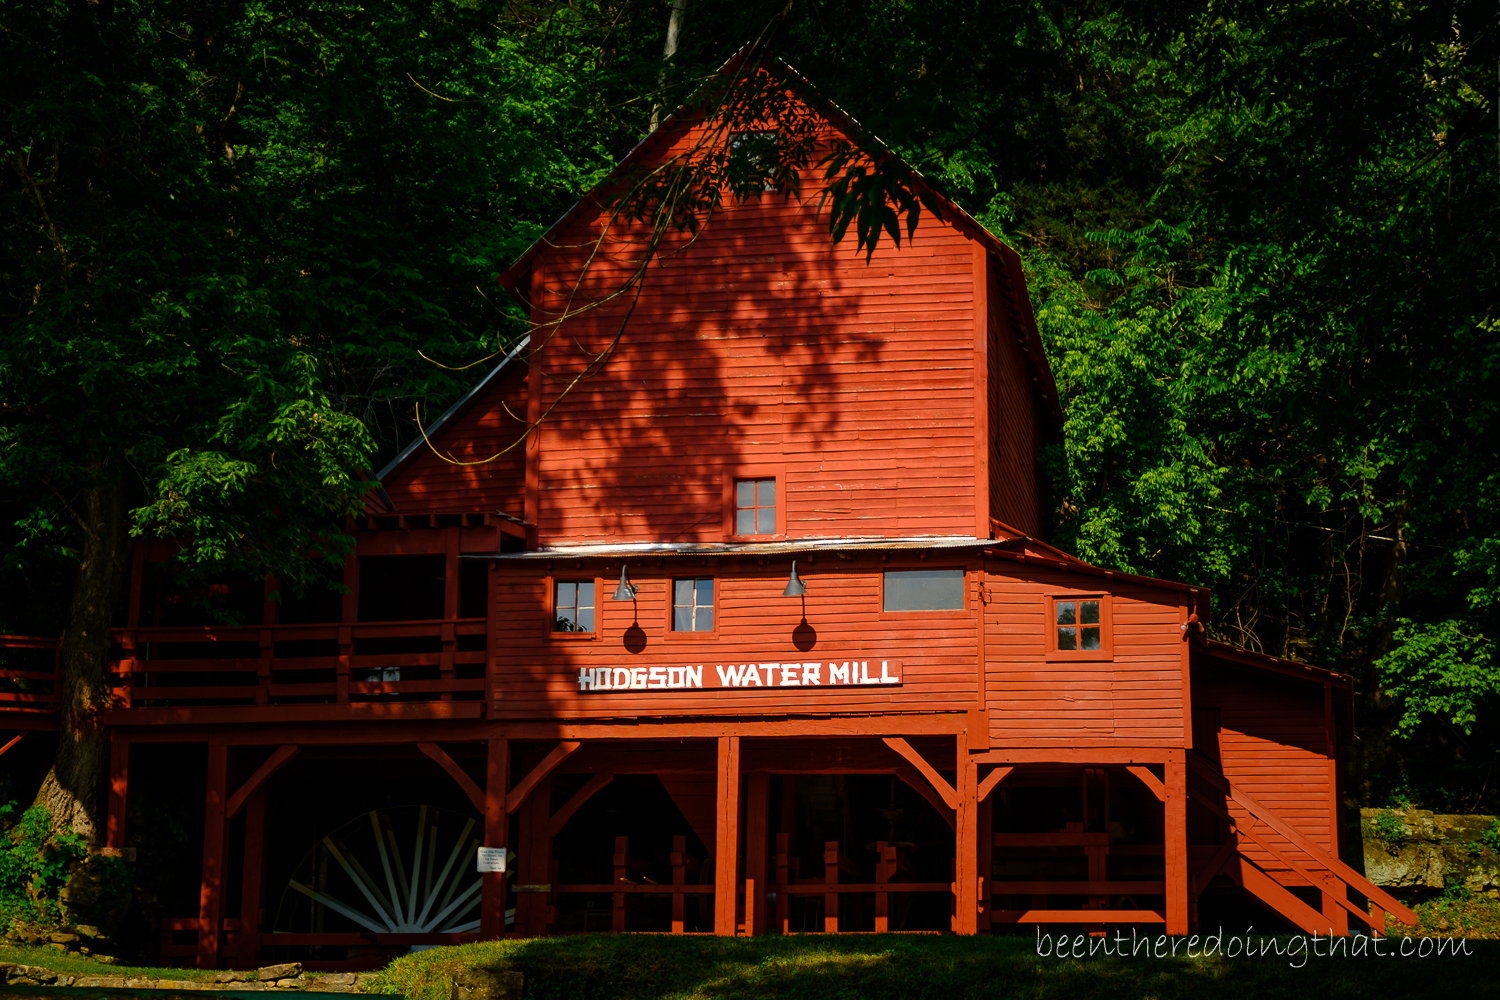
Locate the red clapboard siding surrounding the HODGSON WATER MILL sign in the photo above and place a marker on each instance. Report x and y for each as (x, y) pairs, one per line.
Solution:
(539, 675)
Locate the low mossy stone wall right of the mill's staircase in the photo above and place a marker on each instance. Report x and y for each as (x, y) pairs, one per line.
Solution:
(1415, 849)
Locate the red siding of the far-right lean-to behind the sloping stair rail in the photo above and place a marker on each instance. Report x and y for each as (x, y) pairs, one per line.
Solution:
(1274, 746)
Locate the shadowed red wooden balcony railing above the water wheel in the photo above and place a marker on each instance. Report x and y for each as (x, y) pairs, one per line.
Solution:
(286, 665)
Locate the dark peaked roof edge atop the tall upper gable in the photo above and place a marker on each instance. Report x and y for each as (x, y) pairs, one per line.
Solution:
(512, 278)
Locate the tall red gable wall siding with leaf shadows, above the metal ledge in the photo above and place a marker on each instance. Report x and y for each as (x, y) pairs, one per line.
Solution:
(760, 346)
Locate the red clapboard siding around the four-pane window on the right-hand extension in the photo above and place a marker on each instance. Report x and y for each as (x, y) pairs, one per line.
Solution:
(1133, 699)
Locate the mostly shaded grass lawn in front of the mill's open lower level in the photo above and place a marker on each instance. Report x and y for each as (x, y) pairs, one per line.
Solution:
(893, 968)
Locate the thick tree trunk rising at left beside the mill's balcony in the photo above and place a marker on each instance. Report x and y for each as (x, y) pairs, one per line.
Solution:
(74, 789)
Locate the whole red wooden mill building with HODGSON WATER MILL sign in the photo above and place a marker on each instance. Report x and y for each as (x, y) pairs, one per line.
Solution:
(593, 650)
